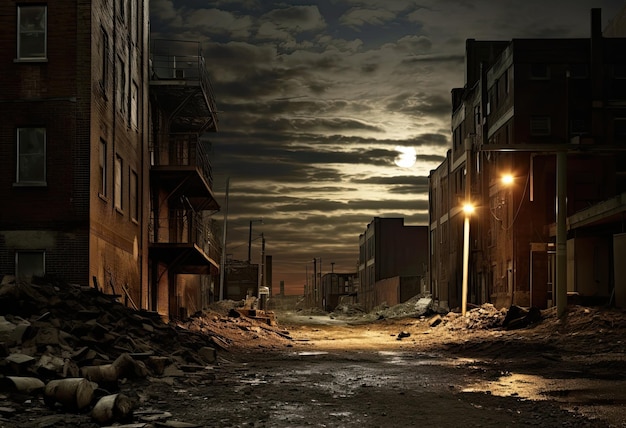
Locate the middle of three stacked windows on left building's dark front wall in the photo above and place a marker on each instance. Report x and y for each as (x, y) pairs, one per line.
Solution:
(31, 156)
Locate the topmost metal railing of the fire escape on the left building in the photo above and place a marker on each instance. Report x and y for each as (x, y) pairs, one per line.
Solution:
(181, 60)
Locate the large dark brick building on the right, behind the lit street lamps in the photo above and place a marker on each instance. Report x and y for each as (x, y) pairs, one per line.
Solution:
(524, 101)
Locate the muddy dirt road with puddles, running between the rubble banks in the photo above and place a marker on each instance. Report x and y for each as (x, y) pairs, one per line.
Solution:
(344, 374)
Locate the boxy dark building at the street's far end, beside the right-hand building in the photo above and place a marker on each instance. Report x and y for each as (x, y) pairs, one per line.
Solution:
(393, 260)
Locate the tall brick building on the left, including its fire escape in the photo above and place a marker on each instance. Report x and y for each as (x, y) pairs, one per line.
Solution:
(75, 172)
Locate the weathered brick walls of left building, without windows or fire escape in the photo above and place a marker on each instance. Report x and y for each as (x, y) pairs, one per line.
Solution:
(63, 95)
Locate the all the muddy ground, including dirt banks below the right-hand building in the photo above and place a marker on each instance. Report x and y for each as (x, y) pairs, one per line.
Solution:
(333, 371)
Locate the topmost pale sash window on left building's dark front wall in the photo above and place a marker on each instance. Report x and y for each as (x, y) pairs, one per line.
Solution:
(32, 27)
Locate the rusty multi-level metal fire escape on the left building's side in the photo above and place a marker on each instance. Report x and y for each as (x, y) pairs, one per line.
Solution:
(181, 181)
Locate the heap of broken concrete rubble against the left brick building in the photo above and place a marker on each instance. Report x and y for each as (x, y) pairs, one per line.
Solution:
(71, 348)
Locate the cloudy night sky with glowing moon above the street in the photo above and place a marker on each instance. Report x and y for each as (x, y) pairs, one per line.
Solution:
(318, 101)
